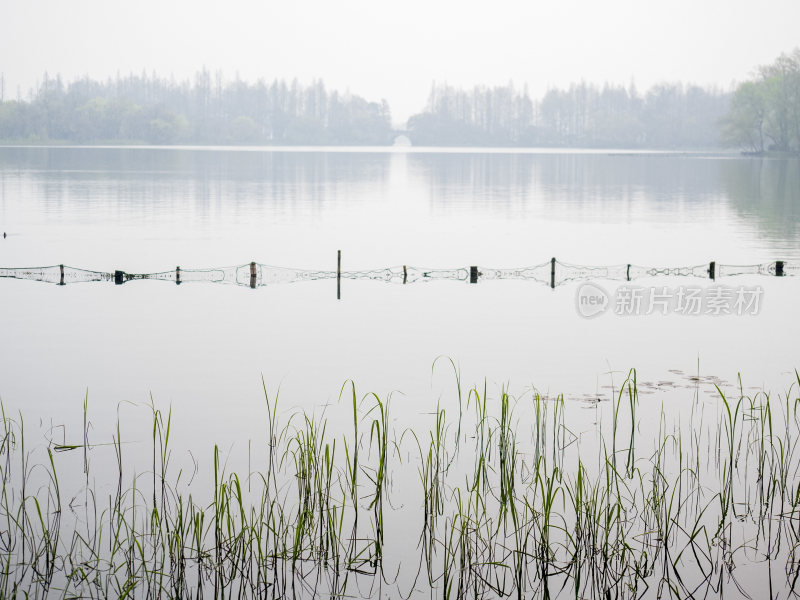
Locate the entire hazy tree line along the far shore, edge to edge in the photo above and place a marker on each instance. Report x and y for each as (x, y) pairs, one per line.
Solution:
(760, 115)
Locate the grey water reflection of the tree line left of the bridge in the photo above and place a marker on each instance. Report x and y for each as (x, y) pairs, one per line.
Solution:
(165, 181)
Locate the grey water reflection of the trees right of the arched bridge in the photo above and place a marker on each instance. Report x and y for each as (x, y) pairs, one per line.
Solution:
(594, 184)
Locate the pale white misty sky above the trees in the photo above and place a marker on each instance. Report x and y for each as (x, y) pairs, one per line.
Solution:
(395, 50)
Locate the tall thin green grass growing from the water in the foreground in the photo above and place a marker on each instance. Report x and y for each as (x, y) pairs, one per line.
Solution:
(707, 506)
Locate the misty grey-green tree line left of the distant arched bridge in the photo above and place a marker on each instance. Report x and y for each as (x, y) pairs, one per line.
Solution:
(207, 110)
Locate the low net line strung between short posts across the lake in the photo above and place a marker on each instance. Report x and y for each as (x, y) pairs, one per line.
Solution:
(552, 273)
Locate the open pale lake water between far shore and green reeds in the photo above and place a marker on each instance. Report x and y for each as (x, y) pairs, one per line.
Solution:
(202, 348)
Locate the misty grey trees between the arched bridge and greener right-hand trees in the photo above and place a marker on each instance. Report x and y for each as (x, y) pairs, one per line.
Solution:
(584, 115)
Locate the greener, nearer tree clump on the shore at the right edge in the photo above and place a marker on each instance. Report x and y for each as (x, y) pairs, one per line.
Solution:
(765, 111)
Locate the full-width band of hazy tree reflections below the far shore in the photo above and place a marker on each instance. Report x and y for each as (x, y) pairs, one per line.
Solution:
(206, 189)
